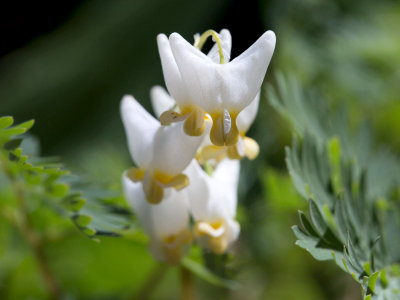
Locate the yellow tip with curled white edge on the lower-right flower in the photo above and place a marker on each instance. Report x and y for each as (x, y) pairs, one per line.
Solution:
(214, 234)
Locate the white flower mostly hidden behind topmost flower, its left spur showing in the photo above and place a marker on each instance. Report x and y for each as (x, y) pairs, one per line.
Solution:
(189, 112)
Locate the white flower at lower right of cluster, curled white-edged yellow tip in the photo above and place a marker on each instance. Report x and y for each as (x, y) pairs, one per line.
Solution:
(213, 201)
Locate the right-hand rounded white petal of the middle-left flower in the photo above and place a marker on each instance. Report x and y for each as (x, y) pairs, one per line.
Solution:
(173, 149)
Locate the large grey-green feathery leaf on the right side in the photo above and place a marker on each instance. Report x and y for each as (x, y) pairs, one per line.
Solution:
(352, 189)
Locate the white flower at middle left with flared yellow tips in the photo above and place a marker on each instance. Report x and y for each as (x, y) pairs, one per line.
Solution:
(161, 153)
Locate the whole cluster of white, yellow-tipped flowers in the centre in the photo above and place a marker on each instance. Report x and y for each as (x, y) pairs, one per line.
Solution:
(187, 163)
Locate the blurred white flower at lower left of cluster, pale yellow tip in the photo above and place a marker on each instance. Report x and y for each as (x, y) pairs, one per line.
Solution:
(167, 223)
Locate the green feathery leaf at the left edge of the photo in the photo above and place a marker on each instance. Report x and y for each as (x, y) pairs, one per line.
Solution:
(30, 183)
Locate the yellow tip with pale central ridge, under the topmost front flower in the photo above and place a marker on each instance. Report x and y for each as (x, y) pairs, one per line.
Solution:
(224, 131)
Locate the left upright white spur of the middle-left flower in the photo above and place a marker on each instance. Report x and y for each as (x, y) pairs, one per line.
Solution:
(140, 128)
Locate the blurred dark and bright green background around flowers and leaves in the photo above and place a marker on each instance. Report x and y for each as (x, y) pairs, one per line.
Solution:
(68, 67)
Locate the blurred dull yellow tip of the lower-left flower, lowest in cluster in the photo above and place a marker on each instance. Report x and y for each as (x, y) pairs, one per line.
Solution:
(173, 244)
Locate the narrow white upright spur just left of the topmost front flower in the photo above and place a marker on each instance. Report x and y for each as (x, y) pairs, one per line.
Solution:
(172, 75)
